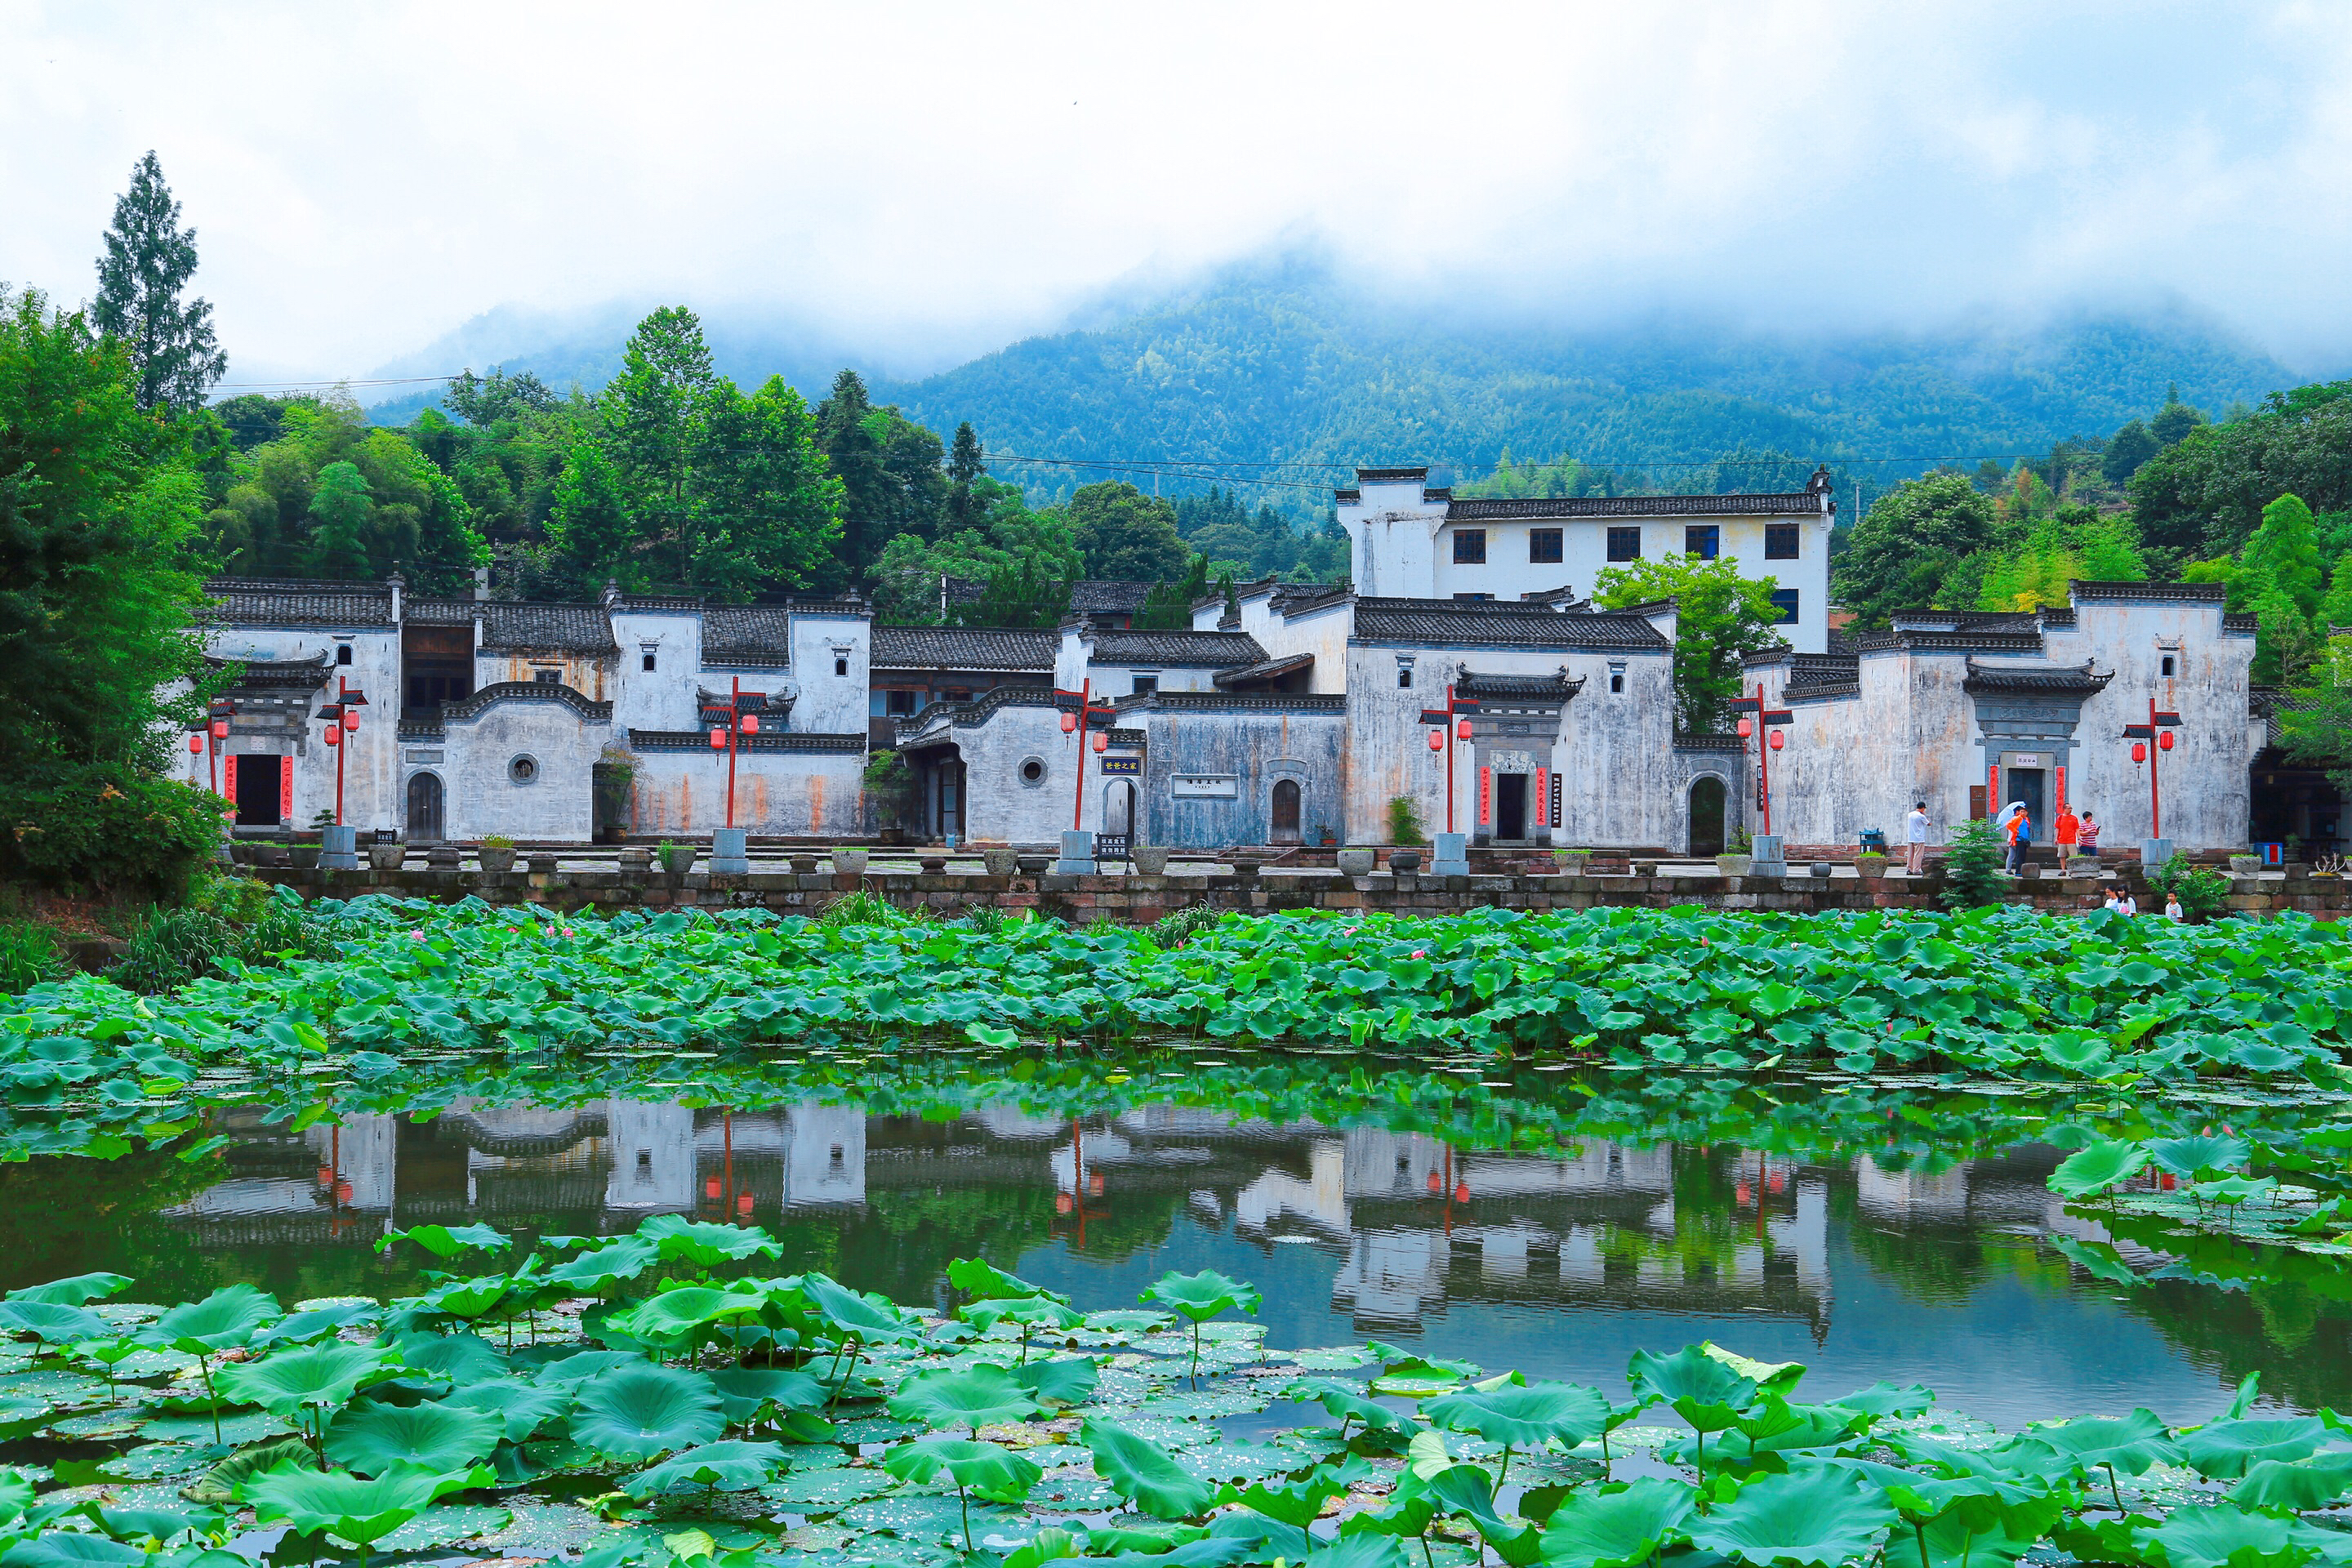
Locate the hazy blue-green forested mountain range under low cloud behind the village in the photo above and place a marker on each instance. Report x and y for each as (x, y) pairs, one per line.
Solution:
(1285, 377)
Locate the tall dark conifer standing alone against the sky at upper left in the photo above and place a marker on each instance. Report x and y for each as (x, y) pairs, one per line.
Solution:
(142, 276)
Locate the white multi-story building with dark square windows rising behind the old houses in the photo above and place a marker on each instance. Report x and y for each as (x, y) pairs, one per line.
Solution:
(1415, 542)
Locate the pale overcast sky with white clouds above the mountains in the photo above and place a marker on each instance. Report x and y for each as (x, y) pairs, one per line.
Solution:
(933, 180)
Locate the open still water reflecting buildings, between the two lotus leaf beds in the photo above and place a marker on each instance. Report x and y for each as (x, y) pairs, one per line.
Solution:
(1558, 1266)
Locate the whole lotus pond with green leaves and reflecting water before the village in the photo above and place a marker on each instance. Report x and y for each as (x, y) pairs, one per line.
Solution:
(1582, 1240)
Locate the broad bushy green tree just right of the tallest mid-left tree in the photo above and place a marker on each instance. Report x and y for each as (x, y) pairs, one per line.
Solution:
(768, 507)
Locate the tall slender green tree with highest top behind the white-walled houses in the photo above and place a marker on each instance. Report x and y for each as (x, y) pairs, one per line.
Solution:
(657, 413)
